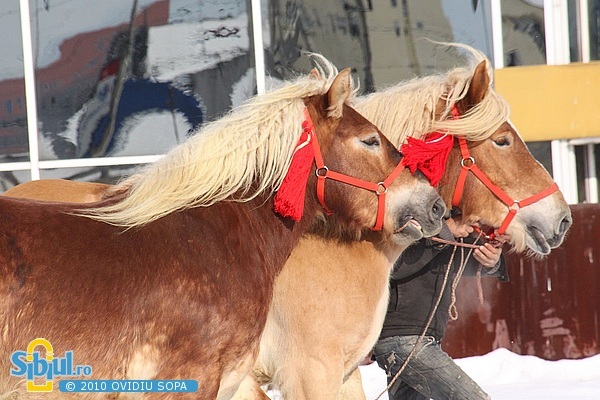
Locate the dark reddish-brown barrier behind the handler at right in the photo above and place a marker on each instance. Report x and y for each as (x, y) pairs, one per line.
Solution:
(550, 308)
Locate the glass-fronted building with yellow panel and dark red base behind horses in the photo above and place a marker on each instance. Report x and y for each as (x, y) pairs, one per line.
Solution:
(89, 90)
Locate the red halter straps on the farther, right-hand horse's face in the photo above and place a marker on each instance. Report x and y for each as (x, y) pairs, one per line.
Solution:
(468, 164)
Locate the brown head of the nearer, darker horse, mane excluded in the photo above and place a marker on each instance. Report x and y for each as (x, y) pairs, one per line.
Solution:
(352, 146)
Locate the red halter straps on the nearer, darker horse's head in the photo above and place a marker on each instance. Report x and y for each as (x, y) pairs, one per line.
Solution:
(322, 172)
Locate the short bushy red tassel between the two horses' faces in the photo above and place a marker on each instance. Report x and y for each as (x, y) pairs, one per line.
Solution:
(429, 155)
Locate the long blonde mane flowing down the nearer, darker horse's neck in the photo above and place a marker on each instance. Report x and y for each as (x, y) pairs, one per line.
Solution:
(242, 155)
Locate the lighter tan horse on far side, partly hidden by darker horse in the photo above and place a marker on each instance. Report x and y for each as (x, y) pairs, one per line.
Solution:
(331, 297)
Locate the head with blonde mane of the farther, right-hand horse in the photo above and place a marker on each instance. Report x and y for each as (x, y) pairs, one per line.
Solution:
(426, 105)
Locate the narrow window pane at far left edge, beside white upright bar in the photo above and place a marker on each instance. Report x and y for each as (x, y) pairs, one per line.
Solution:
(13, 115)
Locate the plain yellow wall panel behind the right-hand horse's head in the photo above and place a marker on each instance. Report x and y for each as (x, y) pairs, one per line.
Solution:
(553, 101)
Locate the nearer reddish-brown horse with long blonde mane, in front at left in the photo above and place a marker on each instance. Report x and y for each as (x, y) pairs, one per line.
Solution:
(171, 277)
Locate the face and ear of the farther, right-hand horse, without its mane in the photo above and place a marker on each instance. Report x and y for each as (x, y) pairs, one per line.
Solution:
(517, 186)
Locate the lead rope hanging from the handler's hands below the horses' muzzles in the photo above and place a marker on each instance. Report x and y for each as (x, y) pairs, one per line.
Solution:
(463, 263)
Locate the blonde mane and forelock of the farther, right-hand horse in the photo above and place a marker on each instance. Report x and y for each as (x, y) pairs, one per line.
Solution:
(408, 108)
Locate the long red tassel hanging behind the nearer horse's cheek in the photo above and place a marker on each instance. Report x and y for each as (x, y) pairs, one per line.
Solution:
(289, 199)
